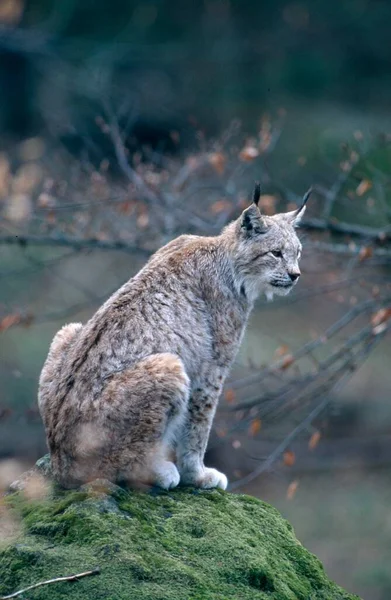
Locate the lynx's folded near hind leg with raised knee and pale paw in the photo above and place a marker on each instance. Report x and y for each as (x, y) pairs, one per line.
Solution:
(146, 404)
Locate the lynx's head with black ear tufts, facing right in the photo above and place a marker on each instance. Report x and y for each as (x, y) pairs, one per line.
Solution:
(267, 250)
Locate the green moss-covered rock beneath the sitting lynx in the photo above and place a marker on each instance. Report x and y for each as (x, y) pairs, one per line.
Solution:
(184, 544)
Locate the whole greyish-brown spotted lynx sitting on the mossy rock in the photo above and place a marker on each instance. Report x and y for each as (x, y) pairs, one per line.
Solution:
(138, 384)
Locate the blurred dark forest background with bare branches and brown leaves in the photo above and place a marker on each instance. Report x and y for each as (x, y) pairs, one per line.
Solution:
(124, 124)
